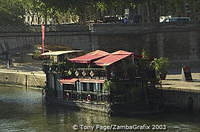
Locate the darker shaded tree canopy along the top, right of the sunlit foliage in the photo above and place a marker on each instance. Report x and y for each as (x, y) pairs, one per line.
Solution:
(150, 10)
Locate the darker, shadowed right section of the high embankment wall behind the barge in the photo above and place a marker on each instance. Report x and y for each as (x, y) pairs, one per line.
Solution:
(180, 43)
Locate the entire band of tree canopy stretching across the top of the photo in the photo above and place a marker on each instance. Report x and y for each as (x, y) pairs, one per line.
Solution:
(12, 12)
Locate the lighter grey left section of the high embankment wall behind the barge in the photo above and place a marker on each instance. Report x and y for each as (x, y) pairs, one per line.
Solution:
(17, 41)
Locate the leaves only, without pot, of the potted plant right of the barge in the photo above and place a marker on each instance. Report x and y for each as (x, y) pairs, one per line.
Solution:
(160, 64)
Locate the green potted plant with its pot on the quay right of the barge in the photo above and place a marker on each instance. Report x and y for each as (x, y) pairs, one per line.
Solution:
(161, 65)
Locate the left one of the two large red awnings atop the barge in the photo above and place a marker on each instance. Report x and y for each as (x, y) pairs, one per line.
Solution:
(87, 58)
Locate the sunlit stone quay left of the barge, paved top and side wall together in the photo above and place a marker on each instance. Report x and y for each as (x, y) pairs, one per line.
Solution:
(28, 74)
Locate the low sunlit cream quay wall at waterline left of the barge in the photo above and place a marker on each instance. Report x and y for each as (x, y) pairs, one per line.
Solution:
(26, 79)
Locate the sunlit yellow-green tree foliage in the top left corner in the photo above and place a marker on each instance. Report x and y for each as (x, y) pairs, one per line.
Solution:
(13, 12)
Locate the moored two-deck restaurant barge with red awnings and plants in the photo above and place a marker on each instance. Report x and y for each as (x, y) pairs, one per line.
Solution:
(118, 82)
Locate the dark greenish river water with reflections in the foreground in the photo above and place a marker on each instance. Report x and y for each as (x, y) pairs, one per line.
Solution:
(25, 110)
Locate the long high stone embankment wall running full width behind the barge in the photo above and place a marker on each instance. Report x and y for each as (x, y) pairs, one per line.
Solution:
(179, 42)
